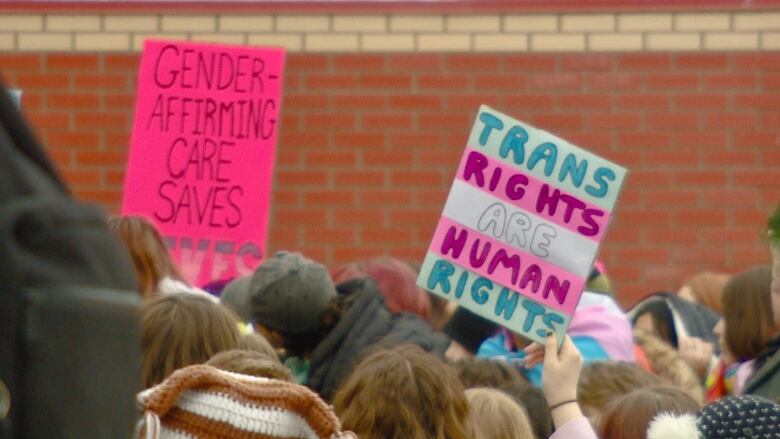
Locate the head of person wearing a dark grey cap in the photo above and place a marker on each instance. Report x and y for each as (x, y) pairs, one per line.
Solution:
(292, 302)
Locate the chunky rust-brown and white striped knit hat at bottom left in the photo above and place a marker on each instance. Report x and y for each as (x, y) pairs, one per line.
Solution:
(204, 402)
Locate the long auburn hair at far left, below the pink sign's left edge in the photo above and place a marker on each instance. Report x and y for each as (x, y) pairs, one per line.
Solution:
(151, 260)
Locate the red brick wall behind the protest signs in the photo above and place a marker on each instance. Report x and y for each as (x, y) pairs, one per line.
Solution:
(369, 145)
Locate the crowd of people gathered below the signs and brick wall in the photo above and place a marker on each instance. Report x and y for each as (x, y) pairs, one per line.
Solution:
(297, 349)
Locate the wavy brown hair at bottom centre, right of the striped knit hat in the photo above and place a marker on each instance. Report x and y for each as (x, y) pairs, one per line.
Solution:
(403, 393)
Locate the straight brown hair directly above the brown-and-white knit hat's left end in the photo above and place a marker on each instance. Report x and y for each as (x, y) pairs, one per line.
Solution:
(179, 330)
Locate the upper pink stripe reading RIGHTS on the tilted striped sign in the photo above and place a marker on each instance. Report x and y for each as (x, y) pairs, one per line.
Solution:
(485, 172)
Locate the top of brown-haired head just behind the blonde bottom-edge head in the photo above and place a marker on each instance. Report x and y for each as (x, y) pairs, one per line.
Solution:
(483, 372)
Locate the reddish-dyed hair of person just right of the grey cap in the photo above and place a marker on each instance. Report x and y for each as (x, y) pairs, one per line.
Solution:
(397, 282)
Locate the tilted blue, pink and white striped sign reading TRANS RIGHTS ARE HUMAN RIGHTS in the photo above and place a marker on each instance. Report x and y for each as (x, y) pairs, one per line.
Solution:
(521, 227)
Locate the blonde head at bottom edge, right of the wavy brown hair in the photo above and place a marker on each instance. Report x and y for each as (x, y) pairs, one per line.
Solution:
(497, 416)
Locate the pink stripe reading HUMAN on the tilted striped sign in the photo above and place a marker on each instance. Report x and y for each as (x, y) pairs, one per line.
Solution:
(463, 249)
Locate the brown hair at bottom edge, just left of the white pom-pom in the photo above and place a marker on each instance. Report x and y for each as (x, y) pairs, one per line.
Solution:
(627, 417)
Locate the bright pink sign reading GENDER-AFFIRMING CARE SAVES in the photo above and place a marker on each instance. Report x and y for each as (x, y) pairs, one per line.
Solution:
(202, 152)
